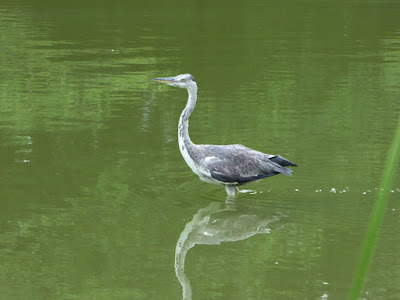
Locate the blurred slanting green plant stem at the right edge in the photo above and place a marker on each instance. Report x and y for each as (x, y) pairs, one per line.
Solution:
(376, 218)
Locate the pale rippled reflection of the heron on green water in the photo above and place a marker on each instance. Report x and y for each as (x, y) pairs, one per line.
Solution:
(220, 222)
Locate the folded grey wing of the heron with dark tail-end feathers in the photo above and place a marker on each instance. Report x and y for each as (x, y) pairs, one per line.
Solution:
(239, 164)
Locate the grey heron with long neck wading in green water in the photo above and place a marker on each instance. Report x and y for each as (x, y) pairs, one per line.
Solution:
(229, 165)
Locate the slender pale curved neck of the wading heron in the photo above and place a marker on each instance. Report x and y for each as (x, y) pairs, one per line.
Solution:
(183, 126)
